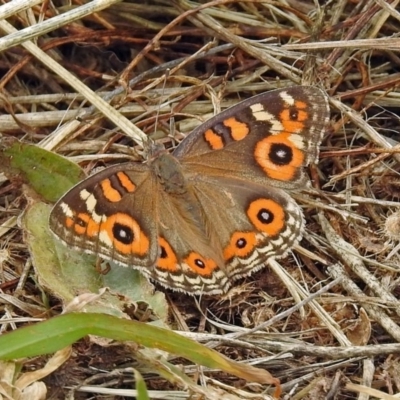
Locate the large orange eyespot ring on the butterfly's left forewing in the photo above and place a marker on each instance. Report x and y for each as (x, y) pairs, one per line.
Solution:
(136, 241)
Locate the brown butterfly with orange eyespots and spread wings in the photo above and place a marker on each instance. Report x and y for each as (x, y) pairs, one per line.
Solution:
(214, 210)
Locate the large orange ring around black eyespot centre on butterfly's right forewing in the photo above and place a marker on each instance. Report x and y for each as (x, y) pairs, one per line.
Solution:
(281, 172)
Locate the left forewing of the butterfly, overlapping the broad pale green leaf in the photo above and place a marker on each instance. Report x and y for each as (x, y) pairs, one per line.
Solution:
(113, 214)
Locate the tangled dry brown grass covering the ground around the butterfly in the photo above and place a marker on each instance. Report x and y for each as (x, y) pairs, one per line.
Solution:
(210, 57)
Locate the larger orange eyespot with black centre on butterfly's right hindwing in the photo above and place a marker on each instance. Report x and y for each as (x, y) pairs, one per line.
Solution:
(267, 216)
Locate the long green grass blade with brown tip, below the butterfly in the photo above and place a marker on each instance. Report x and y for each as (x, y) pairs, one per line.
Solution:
(58, 332)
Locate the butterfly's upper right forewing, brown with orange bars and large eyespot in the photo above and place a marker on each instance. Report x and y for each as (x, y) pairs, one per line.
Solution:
(266, 139)
